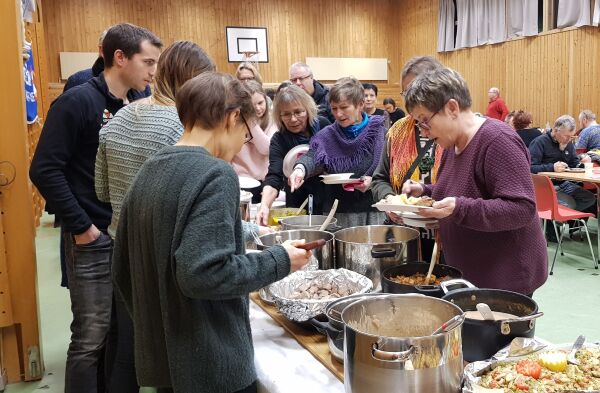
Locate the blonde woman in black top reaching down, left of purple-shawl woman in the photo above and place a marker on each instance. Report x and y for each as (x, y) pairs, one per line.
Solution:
(295, 114)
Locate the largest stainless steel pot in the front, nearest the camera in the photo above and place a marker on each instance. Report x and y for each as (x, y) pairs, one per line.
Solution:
(388, 346)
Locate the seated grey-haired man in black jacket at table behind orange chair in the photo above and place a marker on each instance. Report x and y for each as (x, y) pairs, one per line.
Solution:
(554, 152)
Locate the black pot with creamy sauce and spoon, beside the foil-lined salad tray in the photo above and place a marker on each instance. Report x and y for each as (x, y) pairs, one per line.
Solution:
(482, 339)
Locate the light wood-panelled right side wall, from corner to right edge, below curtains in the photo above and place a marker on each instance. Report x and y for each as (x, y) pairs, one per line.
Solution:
(548, 75)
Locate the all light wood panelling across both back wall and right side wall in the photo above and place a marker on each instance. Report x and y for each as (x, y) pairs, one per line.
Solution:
(548, 75)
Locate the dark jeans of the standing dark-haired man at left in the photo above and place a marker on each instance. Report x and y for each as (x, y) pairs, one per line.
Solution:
(90, 289)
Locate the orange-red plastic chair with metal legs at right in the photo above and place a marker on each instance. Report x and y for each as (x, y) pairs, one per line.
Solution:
(549, 209)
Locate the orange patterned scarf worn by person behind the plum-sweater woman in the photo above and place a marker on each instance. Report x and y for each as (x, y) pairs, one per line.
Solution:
(403, 152)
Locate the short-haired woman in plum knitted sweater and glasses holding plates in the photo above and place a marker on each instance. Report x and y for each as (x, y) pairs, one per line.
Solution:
(489, 226)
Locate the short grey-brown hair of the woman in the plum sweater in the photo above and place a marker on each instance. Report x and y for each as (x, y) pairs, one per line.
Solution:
(434, 89)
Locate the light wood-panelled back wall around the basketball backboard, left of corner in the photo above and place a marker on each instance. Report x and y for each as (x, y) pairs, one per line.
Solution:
(296, 29)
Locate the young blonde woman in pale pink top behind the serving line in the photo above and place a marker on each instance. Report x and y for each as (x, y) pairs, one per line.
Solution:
(253, 159)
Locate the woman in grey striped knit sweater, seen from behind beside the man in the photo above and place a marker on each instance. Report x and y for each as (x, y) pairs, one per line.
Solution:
(136, 133)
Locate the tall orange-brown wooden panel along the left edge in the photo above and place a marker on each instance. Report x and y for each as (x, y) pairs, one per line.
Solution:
(19, 325)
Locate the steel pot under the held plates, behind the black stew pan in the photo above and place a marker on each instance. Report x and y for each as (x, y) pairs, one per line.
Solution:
(368, 250)
